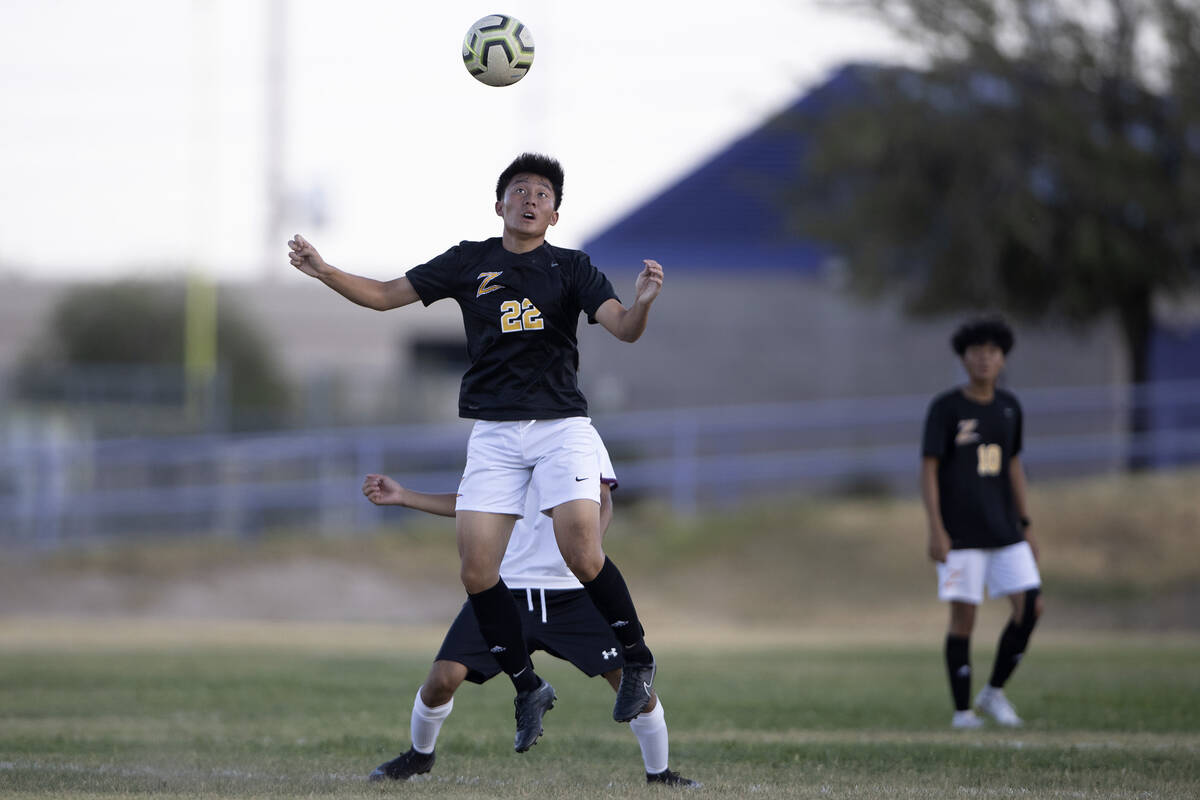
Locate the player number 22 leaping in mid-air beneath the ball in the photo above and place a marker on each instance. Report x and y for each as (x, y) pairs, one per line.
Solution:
(521, 300)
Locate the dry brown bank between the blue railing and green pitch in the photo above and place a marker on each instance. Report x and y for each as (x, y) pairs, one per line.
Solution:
(1119, 554)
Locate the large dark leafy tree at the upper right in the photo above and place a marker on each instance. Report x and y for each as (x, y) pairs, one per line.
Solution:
(1045, 163)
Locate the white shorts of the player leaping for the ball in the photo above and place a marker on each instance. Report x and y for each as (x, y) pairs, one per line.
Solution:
(554, 459)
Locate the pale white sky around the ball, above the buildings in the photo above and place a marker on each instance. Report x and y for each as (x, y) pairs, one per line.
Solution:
(135, 135)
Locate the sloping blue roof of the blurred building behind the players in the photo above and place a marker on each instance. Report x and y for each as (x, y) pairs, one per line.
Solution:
(728, 214)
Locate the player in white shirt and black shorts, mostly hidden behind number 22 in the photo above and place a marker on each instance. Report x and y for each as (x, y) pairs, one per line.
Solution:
(557, 617)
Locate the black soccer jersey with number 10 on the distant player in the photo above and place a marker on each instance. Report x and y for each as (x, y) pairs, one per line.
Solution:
(974, 446)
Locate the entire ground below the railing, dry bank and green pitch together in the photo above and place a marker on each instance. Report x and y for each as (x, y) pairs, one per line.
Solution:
(145, 670)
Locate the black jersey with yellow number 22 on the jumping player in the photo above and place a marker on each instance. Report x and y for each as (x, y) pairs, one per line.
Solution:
(520, 312)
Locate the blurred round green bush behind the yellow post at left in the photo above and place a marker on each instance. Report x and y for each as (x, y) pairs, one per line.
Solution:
(142, 324)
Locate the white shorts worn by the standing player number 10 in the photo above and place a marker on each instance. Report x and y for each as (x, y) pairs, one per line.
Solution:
(1004, 570)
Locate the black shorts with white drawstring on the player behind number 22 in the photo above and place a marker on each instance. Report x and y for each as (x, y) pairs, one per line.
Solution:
(573, 631)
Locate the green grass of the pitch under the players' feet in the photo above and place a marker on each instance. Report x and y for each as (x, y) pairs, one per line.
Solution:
(221, 718)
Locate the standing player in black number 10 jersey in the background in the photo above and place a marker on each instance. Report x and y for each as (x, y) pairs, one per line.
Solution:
(974, 489)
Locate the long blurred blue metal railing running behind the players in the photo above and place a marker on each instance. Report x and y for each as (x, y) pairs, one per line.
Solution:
(57, 488)
